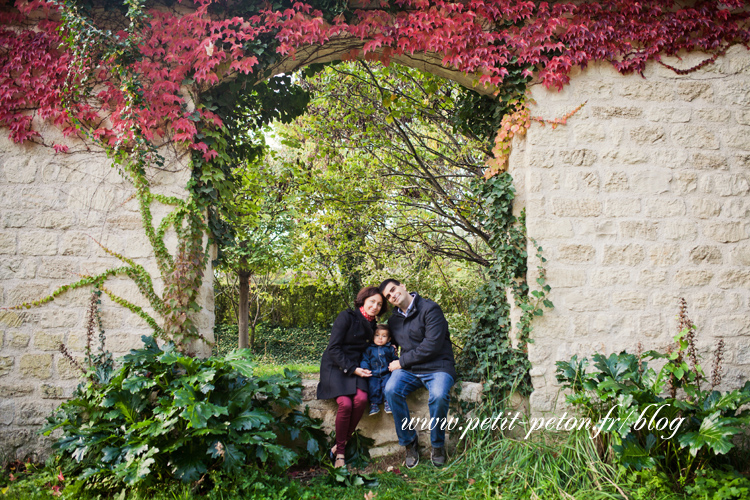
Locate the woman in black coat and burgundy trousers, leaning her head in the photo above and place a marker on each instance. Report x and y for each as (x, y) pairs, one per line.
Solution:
(340, 374)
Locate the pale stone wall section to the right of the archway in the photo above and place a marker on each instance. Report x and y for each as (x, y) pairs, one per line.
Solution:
(642, 198)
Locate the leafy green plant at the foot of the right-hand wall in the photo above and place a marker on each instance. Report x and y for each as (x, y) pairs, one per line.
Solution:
(678, 433)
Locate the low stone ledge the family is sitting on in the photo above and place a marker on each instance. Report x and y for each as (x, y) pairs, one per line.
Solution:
(380, 427)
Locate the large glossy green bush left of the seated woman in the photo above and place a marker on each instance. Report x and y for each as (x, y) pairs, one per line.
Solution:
(163, 416)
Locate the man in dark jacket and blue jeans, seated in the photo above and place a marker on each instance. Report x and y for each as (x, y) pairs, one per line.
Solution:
(419, 327)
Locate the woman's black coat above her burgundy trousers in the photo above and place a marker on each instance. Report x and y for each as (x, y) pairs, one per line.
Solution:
(350, 336)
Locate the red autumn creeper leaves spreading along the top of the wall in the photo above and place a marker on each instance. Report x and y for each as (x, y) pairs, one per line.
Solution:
(189, 50)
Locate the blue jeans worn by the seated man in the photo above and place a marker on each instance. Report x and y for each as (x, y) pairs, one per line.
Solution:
(401, 384)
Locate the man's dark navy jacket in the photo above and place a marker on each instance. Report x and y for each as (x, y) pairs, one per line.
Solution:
(424, 338)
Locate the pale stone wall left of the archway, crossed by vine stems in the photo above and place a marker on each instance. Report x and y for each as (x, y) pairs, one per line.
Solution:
(53, 210)
